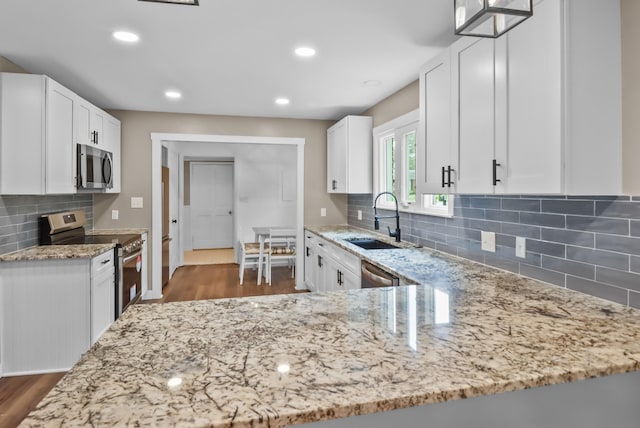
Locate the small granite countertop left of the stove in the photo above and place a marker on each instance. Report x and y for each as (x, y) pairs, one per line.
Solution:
(57, 252)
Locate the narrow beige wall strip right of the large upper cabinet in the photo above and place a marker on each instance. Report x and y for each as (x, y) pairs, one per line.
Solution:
(631, 95)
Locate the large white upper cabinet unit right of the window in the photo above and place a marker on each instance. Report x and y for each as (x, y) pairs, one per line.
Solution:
(535, 111)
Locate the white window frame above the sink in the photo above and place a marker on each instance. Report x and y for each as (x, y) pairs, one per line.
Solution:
(398, 128)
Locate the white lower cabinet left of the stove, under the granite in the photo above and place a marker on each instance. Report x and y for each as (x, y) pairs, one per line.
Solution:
(52, 311)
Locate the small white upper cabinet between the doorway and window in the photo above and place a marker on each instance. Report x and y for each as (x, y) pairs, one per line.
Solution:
(350, 156)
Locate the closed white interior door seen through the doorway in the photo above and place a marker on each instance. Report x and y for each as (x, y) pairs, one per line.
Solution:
(212, 205)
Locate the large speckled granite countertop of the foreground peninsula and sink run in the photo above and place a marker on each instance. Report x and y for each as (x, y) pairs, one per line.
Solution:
(287, 359)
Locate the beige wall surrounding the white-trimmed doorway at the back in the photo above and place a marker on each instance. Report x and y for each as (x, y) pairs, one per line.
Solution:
(136, 161)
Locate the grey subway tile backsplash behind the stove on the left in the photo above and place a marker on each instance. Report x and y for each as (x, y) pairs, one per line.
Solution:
(19, 217)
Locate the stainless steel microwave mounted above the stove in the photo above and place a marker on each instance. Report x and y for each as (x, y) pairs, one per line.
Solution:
(95, 168)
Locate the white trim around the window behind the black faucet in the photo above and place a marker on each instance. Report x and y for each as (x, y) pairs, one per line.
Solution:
(399, 127)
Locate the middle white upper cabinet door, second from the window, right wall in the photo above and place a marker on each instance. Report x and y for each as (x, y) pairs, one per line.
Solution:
(473, 126)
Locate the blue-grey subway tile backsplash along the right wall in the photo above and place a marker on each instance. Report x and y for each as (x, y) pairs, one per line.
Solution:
(587, 243)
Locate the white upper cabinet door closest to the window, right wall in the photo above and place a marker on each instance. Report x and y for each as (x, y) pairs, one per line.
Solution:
(434, 131)
